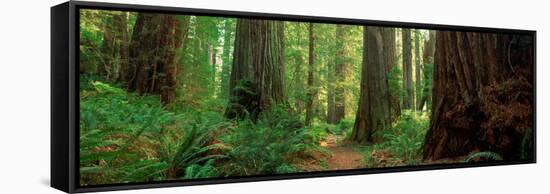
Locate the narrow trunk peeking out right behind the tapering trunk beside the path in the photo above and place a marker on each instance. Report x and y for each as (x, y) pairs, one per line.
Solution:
(390, 61)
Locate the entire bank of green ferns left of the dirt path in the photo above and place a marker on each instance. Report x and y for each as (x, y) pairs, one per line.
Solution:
(125, 137)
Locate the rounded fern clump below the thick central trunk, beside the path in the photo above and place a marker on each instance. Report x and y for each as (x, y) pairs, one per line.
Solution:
(267, 146)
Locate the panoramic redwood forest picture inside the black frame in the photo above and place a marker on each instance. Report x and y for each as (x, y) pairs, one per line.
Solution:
(167, 97)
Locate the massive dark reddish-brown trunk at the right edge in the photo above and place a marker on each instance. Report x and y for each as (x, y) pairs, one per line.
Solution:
(482, 96)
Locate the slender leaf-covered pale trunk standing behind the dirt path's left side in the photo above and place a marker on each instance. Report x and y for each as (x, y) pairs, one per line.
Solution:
(343, 52)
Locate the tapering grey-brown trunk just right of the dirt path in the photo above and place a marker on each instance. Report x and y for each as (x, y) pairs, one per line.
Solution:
(374, 106)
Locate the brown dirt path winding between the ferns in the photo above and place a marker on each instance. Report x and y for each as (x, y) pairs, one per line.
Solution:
(341, 157)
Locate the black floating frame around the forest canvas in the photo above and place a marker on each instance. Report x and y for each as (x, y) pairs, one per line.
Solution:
(65, 100)
